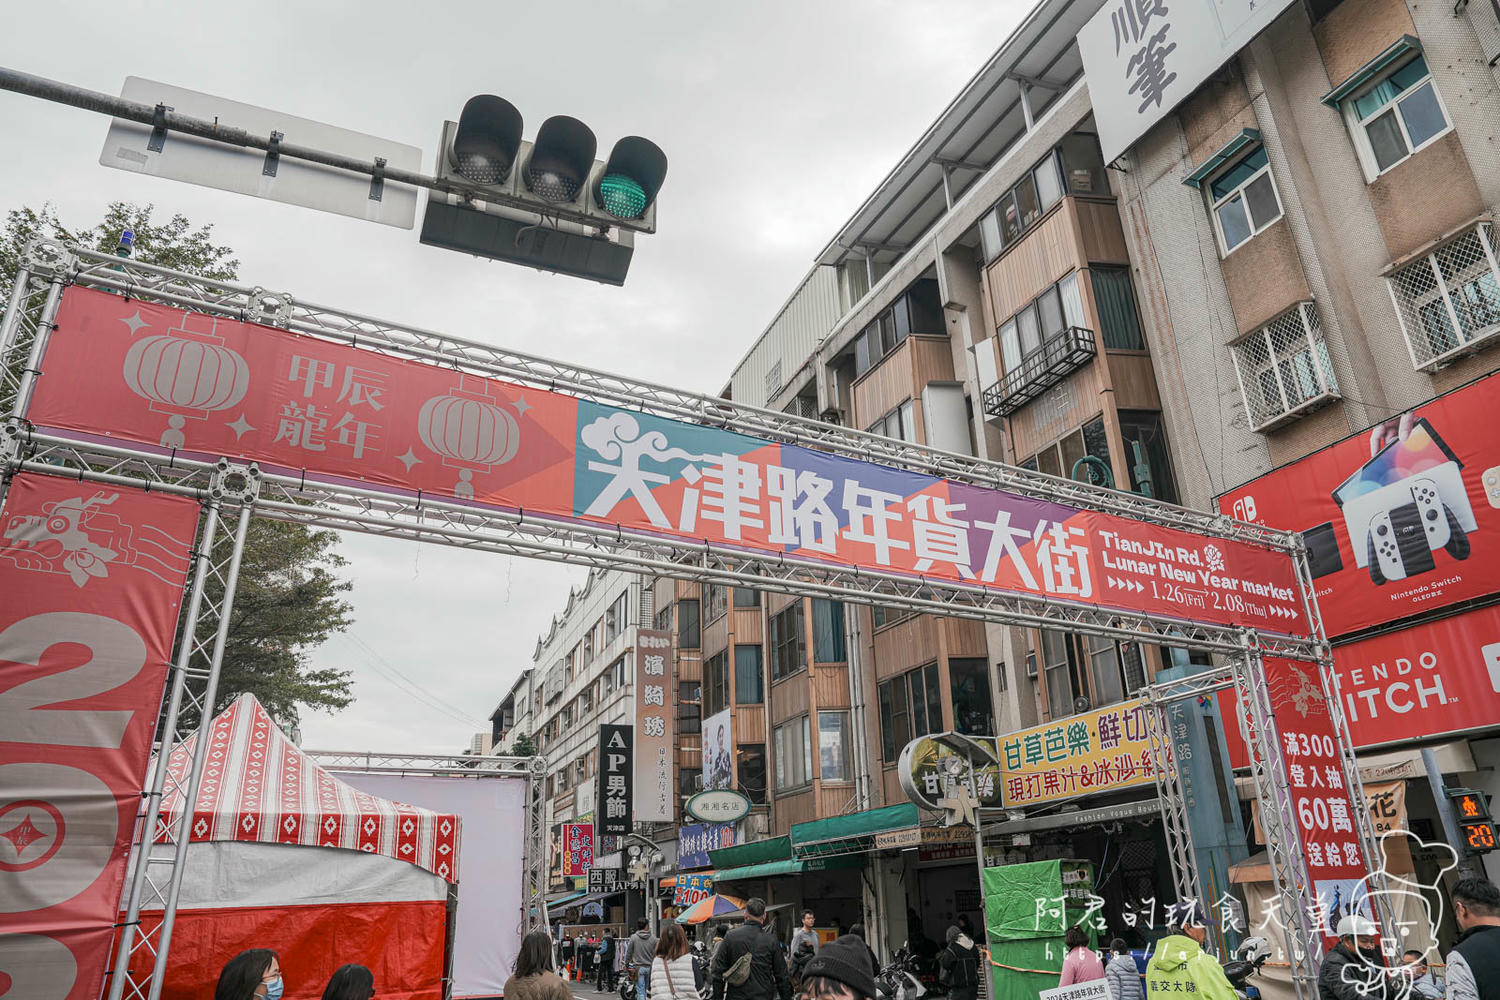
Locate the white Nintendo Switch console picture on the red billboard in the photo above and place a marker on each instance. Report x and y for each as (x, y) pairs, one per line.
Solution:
(1408, 504)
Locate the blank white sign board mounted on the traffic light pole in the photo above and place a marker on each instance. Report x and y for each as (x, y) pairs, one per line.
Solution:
(242, 170)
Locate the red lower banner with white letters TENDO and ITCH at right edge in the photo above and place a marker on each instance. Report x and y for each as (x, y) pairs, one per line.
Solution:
(1418, 683)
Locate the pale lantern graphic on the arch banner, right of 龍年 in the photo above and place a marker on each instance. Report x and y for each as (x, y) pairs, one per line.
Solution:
(470, 431)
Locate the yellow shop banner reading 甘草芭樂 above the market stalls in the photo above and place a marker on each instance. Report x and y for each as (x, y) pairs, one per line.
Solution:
(1105, 750)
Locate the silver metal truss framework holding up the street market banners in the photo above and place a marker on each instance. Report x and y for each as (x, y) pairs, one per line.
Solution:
(241, 491)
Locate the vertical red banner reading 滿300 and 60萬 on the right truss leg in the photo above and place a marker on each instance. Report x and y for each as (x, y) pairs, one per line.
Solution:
(1321, 801)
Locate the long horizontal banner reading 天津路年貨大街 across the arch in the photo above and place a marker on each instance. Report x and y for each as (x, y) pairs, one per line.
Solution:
(199, 386)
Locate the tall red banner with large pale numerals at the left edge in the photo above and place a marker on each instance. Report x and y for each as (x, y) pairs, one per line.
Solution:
(92, 582)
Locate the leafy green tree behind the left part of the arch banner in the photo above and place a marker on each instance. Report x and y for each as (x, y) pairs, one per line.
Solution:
(290, 597)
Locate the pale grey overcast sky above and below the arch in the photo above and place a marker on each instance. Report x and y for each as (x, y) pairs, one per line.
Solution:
(778, 119)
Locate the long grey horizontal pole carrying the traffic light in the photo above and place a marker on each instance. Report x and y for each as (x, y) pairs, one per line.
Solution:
(164, 121)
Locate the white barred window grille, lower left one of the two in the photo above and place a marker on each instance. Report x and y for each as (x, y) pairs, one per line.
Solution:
(1285, 370)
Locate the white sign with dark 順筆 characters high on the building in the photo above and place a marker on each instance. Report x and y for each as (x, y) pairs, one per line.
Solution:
(1144, 58)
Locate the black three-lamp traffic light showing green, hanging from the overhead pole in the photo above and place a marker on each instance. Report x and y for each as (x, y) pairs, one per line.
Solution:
(547, 203)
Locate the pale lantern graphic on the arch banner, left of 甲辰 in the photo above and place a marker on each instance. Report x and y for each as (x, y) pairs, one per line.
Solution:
(187, 374)
